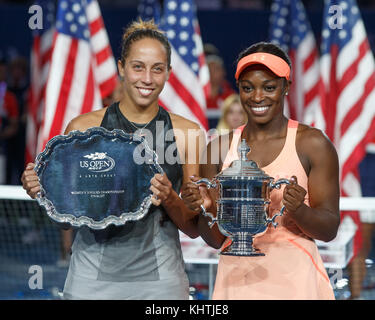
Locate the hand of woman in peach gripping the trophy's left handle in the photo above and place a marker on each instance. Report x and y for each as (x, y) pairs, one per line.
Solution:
(195, 195)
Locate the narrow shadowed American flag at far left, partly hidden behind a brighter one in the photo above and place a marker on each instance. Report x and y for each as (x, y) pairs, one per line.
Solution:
(40, 62)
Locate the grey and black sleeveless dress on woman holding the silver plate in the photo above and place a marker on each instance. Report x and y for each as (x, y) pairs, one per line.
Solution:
(142, 259)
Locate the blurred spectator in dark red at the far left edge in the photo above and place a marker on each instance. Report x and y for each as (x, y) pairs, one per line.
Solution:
(9, 112)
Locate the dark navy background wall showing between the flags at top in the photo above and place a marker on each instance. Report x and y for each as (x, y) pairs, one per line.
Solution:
(231, 30)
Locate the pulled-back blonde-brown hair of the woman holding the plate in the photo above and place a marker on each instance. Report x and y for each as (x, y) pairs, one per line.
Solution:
(141, 29)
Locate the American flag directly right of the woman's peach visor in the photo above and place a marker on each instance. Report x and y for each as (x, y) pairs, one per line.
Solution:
(290, 28)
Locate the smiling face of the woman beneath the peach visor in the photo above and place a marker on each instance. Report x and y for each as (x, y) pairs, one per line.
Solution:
(262, 93)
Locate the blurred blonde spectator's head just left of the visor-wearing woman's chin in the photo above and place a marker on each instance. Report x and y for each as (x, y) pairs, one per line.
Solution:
(233, 115)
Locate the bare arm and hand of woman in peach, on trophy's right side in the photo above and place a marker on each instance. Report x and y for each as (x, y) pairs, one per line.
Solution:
(321, 220)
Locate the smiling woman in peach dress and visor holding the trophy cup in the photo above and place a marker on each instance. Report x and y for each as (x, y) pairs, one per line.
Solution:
(292, 267)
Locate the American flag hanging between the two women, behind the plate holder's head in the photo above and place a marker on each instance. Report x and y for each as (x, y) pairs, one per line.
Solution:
(185, 92)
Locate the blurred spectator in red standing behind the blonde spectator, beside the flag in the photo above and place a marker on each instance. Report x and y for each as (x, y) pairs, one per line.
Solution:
(220, 87)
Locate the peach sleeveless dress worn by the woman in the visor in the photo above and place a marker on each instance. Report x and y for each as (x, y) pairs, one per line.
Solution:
(292, 267)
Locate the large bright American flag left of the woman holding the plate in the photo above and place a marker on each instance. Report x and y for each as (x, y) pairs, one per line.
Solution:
(82, 67)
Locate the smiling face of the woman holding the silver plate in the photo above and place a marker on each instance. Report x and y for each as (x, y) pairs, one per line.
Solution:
(145, 72)
